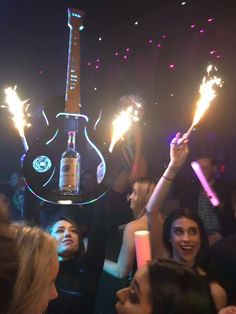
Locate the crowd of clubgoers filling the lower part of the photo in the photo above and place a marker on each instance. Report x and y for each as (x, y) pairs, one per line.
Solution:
(56, 267)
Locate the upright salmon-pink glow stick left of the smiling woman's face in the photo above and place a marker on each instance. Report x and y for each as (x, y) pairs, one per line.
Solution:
(142, 246)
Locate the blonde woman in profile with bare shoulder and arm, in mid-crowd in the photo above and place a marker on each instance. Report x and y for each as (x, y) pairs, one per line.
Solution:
(141, 192)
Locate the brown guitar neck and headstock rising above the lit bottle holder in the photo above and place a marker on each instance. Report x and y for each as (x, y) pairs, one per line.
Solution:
(72, 98)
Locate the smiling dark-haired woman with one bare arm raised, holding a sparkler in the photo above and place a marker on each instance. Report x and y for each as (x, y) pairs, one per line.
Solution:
(182, 235)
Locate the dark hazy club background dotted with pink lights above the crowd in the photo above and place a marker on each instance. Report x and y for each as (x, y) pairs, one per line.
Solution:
(33, 55)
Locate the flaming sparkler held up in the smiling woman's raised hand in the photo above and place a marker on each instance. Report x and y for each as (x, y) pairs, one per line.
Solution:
(207, 94)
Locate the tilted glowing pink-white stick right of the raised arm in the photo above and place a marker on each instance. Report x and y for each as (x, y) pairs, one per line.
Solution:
(210, 193)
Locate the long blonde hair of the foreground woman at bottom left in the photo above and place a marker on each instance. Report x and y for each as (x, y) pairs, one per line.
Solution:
(36, 250)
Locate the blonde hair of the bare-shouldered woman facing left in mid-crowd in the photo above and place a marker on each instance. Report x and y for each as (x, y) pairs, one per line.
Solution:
(145, 187)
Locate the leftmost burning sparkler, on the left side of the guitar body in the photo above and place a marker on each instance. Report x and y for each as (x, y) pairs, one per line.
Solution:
(18, 109)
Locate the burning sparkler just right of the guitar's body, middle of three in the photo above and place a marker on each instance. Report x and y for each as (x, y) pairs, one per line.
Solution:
(125, 119)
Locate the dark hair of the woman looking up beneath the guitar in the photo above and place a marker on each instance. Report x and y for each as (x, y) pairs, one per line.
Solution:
(55, 219)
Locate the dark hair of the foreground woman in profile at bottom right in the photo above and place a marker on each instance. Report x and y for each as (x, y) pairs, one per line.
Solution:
(176, 289)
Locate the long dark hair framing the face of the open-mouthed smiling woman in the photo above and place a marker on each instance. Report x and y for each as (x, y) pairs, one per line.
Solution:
(192, 215)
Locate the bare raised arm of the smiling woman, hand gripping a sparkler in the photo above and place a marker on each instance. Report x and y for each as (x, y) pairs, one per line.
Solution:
(178, 154)
